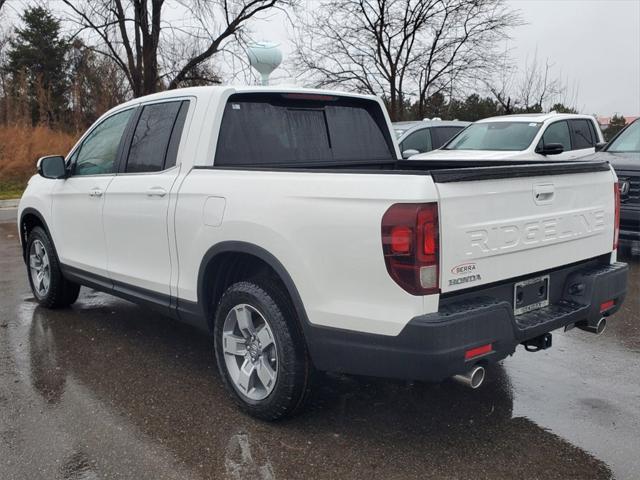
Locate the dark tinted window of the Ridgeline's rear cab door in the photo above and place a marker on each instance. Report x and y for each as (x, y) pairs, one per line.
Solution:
(156, 137)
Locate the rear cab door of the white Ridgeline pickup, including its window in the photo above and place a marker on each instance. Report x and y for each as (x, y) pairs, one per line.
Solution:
(136, 208)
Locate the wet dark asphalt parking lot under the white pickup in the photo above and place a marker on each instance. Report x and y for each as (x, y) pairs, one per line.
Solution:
(107, 389)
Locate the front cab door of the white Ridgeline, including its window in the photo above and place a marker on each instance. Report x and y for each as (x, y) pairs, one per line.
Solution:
(78, 201)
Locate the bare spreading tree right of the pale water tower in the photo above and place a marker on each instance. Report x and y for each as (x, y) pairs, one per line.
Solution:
(398, 48)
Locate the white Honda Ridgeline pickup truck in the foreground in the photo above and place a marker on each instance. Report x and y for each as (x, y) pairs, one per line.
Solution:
(283, 222)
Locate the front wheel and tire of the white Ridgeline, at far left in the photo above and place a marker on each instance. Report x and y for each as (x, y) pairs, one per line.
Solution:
(48, 285)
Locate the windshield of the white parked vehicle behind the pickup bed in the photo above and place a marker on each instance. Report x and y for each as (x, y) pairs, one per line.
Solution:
(507, 136)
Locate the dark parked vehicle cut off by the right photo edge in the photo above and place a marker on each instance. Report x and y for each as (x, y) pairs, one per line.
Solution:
(623, 152)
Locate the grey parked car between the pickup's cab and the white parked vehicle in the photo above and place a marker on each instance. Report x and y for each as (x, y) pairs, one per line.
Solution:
(426, 135)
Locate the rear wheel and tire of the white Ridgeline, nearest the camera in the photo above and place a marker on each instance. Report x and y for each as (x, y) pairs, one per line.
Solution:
(260, 350)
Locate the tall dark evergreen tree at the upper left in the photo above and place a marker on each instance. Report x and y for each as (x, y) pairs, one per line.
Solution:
(37, 64)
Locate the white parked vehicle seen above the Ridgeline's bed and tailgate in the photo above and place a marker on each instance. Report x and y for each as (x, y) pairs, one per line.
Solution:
(555, 136)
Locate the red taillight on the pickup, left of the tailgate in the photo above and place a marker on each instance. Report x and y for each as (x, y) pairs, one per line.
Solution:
(410, 245)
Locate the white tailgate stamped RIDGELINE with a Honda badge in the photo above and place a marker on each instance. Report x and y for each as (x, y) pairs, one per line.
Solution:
(498, 223)
